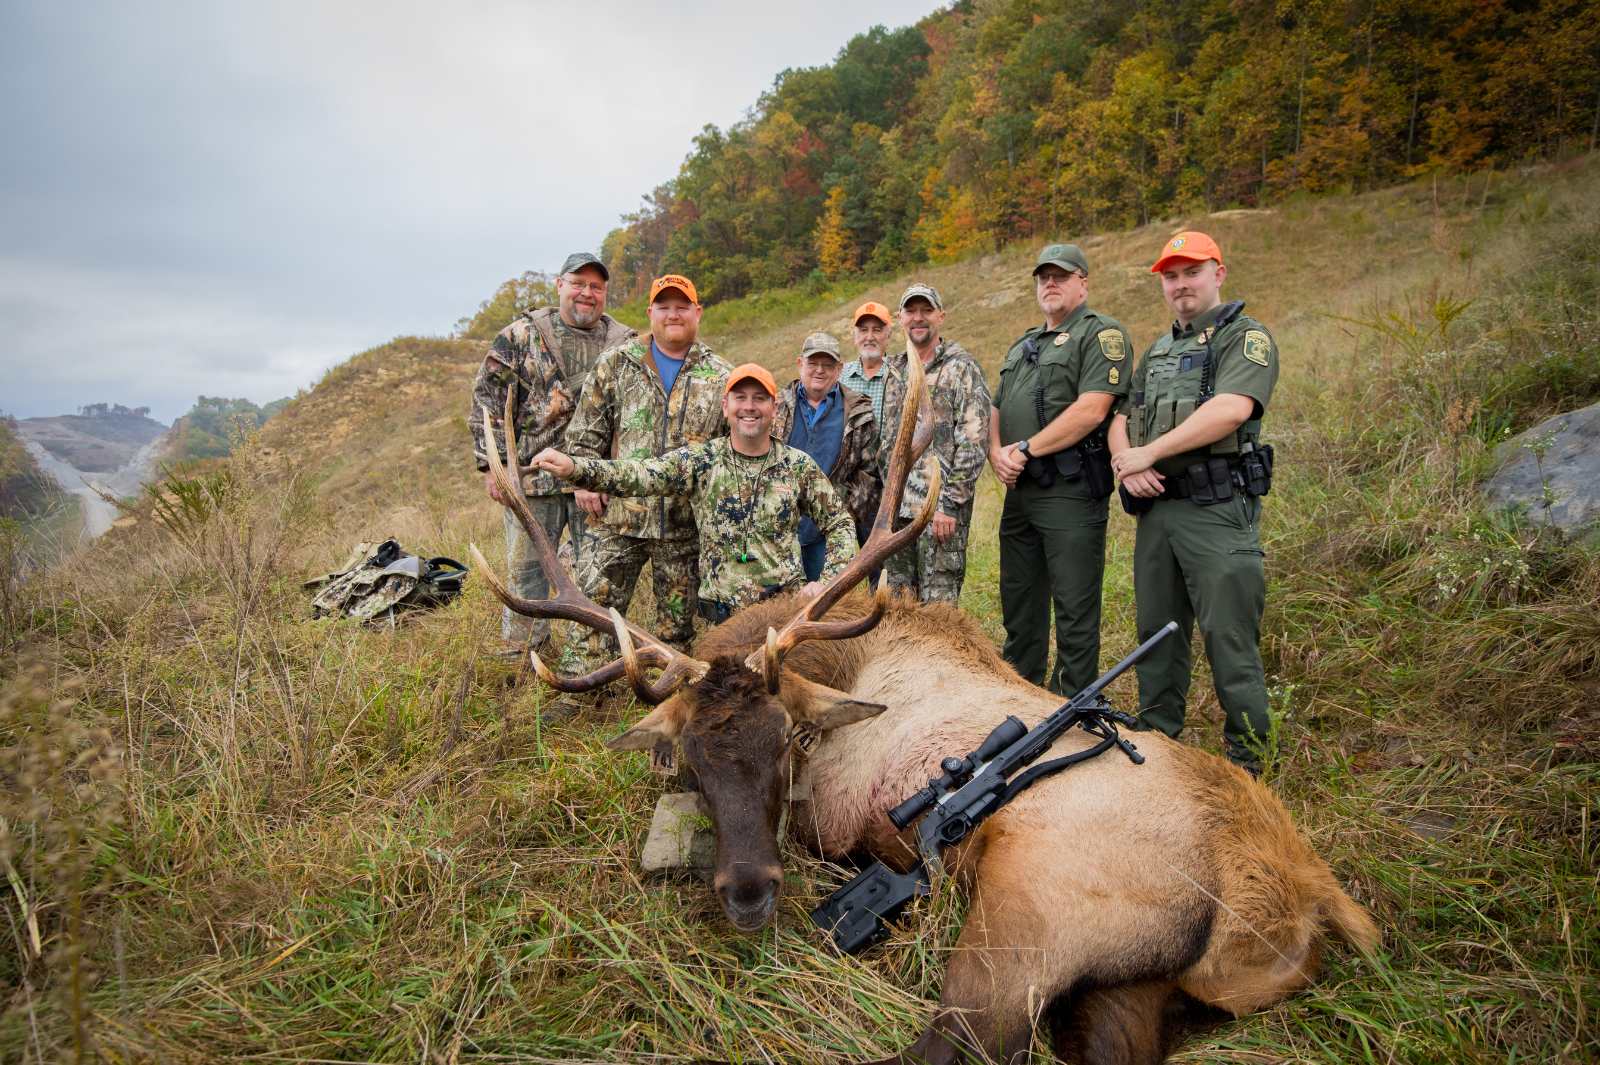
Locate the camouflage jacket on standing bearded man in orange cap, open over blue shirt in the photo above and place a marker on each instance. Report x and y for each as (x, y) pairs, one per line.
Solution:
(626, 413)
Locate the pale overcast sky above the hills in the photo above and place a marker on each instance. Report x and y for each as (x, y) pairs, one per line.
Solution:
(228, 199)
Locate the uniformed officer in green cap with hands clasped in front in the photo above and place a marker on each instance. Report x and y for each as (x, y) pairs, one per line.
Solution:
(1047, 444)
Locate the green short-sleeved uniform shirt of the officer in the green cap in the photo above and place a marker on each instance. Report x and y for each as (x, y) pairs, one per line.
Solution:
(1089, 353)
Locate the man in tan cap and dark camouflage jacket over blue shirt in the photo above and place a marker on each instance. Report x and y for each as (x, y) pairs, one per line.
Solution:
(854, 471)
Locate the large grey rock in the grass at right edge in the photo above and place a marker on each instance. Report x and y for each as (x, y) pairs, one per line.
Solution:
(1553, 473)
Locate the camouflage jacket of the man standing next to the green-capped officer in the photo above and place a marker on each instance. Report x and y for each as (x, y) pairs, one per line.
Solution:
(961, 426)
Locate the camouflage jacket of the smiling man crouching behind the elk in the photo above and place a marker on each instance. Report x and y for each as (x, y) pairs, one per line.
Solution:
(748, 513)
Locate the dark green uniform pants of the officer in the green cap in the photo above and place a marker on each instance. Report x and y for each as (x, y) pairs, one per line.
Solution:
(1052, 552)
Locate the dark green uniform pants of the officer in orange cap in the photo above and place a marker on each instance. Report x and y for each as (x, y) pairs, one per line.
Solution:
(1204, 564)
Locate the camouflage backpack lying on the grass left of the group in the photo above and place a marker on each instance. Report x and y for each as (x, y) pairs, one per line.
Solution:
(382, 580)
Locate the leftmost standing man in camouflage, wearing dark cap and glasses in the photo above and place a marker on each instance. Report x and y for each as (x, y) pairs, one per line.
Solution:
(545, 357)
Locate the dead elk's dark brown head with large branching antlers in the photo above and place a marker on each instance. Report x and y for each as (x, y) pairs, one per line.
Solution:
(738, 724)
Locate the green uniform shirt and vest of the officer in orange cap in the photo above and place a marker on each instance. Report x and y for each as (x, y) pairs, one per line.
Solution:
(1167, 386)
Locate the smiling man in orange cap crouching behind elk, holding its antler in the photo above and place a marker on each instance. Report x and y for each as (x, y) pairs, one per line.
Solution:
(748, 492)
